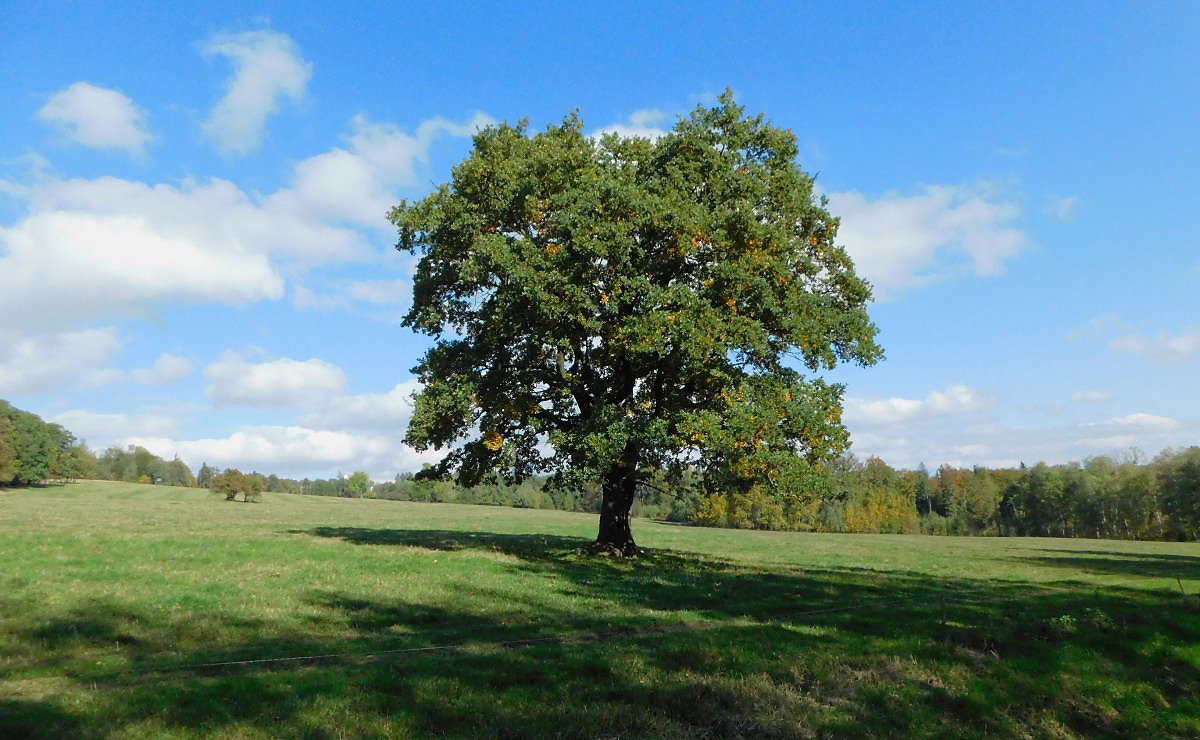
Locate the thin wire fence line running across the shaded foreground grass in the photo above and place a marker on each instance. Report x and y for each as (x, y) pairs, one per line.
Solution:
(149, 673)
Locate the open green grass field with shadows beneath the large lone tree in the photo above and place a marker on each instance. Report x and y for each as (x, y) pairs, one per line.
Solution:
(117, 600)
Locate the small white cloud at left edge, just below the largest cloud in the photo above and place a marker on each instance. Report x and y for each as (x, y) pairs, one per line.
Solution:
(49, 363)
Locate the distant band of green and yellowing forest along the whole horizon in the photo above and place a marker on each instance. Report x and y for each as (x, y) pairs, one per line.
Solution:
(1100, 497)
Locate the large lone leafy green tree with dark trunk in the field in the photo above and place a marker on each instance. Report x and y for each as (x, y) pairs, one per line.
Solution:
(615, 310)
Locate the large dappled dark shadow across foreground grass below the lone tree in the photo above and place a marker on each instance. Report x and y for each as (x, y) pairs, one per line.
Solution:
(673, 645)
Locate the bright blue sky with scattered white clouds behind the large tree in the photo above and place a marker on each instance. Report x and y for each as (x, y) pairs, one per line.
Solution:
(194, 252)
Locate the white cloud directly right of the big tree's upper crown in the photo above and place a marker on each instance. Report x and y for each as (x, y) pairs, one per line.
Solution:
(905, 242)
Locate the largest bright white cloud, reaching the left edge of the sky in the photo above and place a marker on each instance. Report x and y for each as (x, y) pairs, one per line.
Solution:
(101, 248)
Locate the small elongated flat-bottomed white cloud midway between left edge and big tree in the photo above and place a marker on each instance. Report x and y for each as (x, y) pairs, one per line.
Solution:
(274, 383)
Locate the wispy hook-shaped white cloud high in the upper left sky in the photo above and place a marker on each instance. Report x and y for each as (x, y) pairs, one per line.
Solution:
(267, 69)
